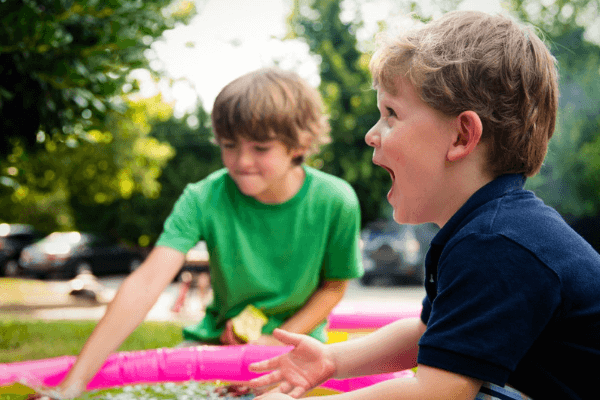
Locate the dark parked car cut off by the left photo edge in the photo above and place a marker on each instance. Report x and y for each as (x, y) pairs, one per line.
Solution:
(13, 238)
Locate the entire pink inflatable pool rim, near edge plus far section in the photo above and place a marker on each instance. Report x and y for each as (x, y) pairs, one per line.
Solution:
(210, 363)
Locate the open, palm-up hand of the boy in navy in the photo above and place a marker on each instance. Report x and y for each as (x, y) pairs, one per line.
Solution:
(307, 366)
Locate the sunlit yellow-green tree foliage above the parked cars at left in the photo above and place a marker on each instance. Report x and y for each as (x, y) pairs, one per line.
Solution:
(85, 184)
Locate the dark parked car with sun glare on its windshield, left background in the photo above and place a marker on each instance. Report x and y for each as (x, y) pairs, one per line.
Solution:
(67, 254)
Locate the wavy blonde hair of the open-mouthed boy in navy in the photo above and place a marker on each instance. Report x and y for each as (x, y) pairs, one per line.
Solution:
(469, 60)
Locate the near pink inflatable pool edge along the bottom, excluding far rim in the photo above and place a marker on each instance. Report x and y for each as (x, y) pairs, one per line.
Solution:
(202, 363)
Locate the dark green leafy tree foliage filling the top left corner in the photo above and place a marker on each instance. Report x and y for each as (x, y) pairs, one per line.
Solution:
(63, 63)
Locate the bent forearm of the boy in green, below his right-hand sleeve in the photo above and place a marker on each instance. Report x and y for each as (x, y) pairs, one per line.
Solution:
(317, 308)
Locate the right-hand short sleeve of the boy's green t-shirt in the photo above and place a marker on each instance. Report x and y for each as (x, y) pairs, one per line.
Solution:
(342, 257)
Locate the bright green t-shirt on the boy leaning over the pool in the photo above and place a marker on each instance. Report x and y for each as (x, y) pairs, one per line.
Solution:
(273, 256)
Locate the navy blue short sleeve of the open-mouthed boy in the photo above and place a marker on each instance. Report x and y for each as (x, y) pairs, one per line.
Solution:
(494, 299)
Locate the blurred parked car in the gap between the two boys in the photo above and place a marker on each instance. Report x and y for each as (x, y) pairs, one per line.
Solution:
(395, 253)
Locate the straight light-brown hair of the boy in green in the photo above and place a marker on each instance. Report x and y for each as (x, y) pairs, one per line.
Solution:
(271, 104)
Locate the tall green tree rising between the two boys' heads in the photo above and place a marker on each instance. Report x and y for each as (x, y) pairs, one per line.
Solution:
(350, 100)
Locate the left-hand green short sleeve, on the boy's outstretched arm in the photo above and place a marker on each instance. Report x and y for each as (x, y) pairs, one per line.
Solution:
(182, 228)
